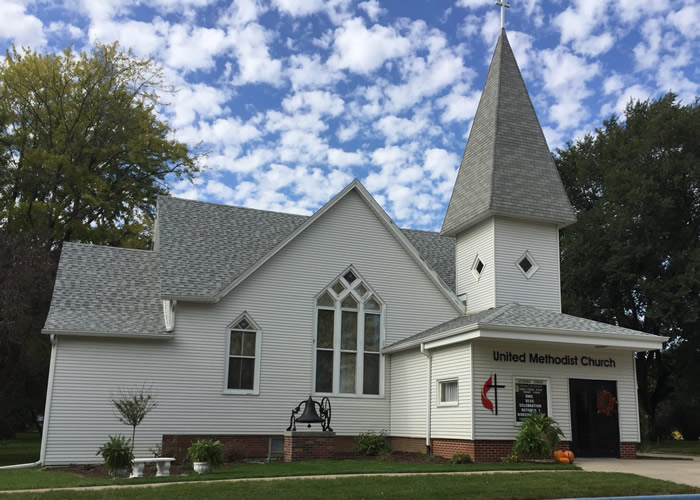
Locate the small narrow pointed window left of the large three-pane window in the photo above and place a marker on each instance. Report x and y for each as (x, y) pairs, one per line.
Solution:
(243, 356)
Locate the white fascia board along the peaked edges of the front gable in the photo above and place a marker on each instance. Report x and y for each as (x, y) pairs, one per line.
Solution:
(379, 212)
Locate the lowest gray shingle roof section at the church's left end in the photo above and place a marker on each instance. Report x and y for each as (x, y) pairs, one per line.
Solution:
(106, 289)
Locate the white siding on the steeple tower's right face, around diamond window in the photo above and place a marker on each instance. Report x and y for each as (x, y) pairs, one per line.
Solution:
(513, 238)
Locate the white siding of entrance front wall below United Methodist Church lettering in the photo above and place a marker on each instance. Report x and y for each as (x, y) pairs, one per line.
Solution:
(502, 426)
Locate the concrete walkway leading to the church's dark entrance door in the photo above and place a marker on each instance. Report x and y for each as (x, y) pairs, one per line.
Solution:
(678, 471)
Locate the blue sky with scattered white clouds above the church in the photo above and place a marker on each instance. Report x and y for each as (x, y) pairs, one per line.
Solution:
(294, 98)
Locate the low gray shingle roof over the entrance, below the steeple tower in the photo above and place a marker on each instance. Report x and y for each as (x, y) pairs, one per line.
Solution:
(513, 316)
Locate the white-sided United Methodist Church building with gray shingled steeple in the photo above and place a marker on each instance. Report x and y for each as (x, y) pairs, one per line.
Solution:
(446, 341)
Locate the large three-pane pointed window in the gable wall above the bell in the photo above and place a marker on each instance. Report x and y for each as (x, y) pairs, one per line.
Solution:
(349, 335)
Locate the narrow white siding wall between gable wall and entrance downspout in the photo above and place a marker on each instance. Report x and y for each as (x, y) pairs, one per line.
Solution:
(408, 393)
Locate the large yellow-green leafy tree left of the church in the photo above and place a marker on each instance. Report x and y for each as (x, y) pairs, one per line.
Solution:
(83, 157)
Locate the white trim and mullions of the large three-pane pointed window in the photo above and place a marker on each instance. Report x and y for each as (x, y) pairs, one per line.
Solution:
(360, 351)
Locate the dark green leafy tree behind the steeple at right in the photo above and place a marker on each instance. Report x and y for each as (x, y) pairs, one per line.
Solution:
(633, 257)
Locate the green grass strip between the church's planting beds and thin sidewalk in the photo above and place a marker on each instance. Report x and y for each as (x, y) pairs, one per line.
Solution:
(55, 478)
